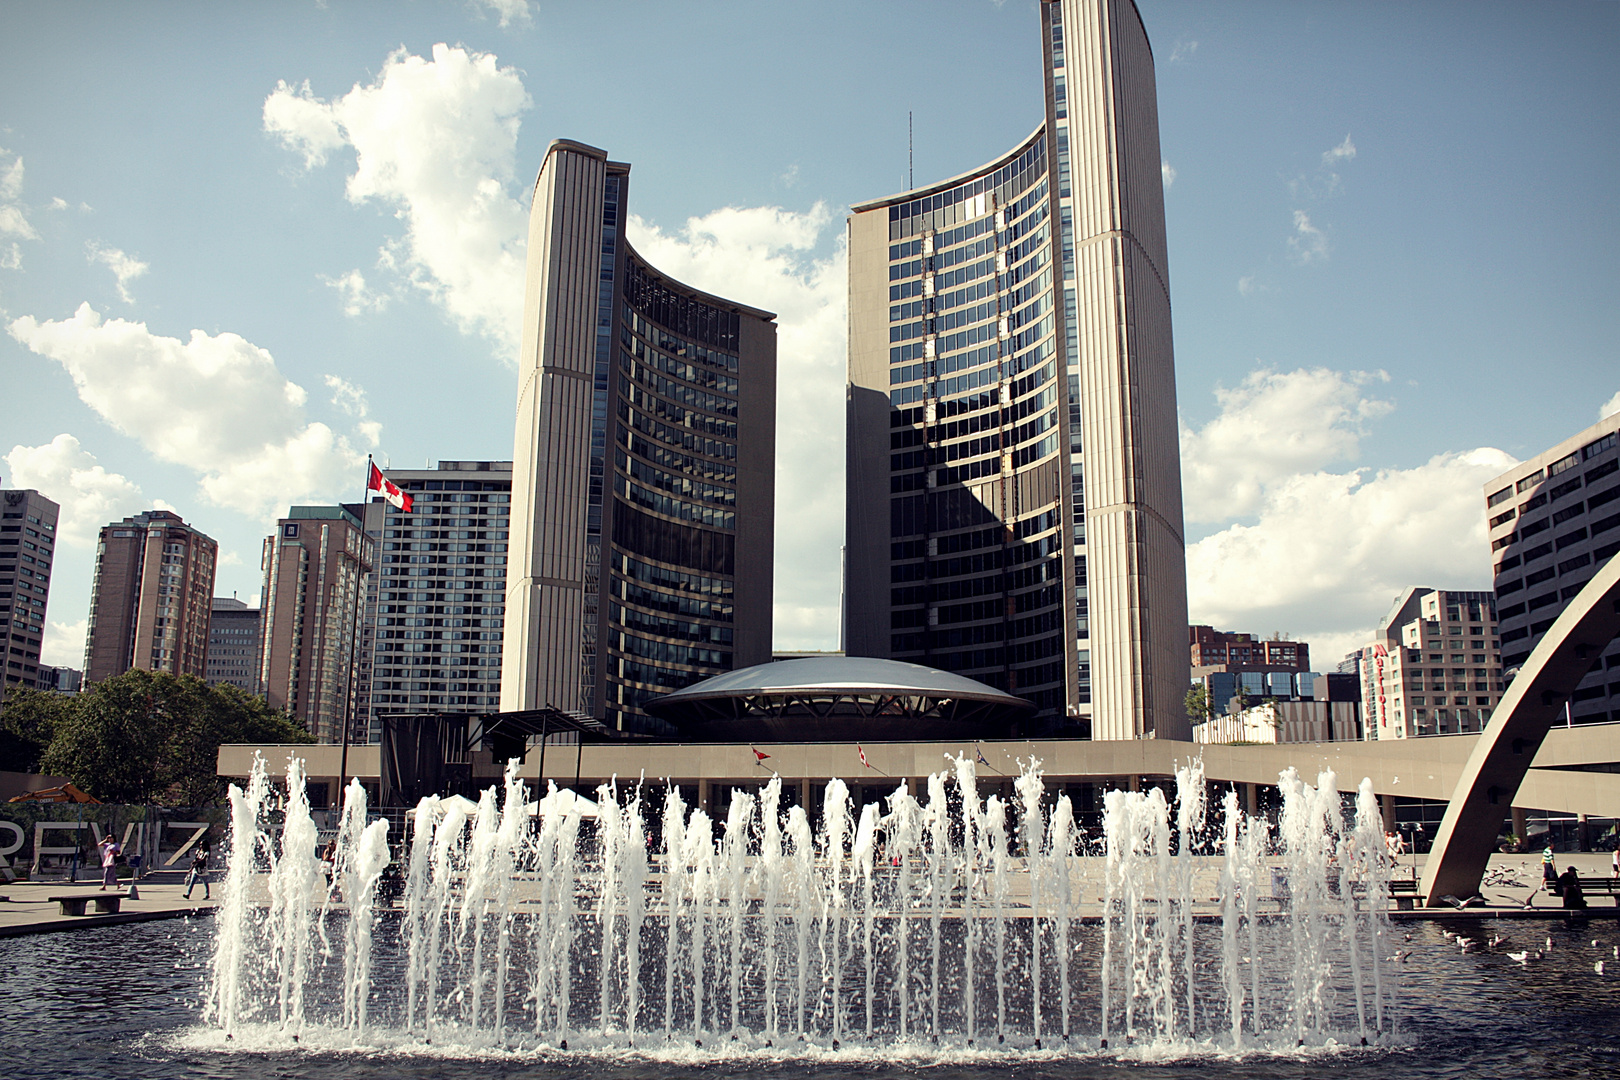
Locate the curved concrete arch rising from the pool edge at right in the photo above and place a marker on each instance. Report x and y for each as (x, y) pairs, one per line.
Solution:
(1522, 721)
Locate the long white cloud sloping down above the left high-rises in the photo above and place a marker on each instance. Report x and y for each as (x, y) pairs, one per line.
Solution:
(218, 406)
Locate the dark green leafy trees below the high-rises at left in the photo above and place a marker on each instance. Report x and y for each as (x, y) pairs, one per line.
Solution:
(147, 738)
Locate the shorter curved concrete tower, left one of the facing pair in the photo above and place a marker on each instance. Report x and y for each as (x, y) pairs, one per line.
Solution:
(644, 466)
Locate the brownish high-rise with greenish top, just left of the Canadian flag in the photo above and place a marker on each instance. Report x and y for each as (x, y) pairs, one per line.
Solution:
(315, 584)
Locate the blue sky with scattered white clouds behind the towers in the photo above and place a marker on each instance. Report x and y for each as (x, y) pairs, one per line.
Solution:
(242, 247)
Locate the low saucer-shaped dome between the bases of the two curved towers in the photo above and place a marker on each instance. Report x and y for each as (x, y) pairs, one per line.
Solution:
(838, 699)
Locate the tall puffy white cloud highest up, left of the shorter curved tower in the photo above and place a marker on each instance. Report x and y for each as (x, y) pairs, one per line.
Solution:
(437, 142)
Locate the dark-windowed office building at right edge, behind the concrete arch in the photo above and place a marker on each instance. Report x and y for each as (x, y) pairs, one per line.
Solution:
(1554, 521)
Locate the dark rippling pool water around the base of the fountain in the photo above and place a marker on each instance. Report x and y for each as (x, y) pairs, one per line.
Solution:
(127, 1001)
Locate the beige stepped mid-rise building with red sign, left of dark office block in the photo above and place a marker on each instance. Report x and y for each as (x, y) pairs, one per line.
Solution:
(1435, 666)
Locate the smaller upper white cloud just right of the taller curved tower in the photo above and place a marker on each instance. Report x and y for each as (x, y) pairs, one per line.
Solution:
(1273, 428)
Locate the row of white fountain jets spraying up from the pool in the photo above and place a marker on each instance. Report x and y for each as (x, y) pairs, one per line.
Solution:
(940, 921)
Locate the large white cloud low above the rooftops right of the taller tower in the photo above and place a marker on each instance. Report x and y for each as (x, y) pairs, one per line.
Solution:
(1331, 551)
